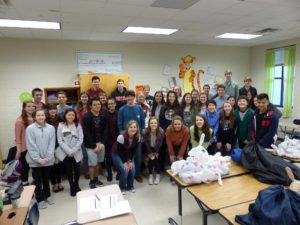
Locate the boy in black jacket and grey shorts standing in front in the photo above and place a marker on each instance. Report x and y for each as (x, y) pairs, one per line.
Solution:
(95, 131)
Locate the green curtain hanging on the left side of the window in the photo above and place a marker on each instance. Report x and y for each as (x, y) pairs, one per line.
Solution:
(270, 73)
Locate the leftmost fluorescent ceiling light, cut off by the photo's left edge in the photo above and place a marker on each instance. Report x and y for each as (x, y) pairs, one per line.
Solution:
(29, 24)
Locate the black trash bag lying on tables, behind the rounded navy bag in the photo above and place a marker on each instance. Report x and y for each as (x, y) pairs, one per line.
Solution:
(266, 167)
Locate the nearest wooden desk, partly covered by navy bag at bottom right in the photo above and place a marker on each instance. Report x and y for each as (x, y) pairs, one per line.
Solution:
(229, 213)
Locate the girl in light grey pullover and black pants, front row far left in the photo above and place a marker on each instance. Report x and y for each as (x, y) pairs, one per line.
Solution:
(40, 140)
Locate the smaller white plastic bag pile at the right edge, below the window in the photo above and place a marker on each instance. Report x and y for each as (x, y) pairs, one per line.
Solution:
(289, 148)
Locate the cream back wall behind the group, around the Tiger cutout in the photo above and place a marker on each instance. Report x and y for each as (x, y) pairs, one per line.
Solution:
(27, 63)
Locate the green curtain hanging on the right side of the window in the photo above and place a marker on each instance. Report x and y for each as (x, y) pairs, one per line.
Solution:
(289, 66)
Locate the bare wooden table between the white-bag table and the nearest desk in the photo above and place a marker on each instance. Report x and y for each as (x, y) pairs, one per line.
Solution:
(235, 190)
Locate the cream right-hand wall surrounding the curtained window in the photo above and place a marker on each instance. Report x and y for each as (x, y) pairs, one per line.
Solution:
(257, 68)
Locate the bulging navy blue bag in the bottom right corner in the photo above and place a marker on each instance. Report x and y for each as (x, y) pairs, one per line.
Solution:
(274, 205)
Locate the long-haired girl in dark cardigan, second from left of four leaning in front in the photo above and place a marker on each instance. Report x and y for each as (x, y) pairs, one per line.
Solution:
(153, 137)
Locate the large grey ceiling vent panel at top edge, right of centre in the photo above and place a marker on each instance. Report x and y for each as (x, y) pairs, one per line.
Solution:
(174, 4)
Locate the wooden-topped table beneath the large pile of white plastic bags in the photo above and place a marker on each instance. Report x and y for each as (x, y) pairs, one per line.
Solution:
(235, 169)
